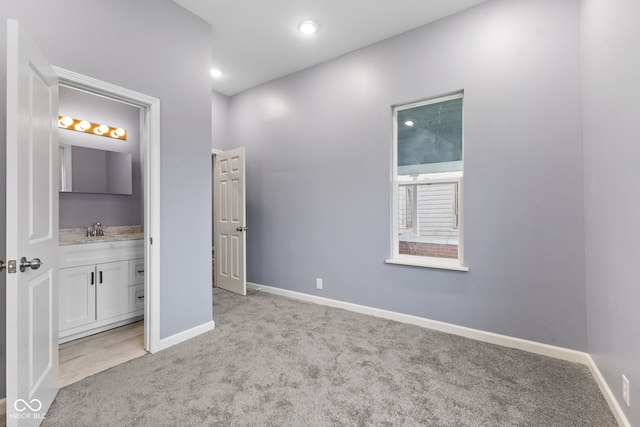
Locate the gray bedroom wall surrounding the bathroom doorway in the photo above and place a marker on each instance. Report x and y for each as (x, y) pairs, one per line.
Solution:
(157, 48)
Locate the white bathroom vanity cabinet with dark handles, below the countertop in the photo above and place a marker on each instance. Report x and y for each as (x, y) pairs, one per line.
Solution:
(101, 286)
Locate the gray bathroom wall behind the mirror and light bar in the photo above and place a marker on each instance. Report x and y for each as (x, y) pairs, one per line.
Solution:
(82, 210)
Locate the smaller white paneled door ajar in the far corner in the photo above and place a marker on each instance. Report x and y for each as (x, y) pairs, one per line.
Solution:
(230, 221)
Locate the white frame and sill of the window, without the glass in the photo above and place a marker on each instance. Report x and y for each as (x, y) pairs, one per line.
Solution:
(416, 260)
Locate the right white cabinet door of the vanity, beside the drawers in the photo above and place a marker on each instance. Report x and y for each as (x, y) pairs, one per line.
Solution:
(112, 289)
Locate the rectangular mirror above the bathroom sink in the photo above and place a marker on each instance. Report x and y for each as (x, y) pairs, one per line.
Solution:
(87, 170)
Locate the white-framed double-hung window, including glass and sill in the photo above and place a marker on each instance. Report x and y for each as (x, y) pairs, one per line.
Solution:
(427, 183)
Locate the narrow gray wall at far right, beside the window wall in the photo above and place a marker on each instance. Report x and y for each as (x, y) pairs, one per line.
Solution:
(611, 66)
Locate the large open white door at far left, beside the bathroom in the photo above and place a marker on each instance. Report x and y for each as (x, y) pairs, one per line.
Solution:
(32, 230)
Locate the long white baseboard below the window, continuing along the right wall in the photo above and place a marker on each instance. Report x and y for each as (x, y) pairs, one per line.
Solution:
(476, 334)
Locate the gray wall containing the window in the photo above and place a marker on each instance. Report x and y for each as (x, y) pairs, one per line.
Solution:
(319, 165)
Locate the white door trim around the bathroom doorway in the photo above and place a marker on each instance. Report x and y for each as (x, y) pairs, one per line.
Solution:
(150, 140)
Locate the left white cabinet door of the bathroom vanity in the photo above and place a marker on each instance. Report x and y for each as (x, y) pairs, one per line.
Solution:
(77, 296)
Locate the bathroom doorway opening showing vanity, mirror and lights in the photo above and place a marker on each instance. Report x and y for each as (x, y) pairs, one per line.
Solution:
(101, 211)
